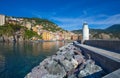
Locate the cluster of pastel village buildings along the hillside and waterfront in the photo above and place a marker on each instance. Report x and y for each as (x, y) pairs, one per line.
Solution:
(46, 35)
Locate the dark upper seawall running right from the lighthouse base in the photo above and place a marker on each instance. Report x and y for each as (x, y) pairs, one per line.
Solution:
(112, 45)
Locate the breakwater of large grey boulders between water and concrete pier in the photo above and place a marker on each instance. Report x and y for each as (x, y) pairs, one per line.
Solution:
(68, 62)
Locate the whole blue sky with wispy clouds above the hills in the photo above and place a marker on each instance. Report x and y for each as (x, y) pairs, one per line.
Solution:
(68, 14)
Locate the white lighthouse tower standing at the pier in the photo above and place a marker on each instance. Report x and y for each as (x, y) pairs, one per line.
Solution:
(85, 32)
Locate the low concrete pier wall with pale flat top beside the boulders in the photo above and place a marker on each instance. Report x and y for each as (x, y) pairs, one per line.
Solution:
(108, 60)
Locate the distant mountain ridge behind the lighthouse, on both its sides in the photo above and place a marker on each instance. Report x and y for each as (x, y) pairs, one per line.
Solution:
(112, 31)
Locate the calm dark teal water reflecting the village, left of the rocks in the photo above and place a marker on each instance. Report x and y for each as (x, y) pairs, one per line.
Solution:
(16, 60)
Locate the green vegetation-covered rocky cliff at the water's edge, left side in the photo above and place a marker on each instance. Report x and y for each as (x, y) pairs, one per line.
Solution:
(17, 30)
